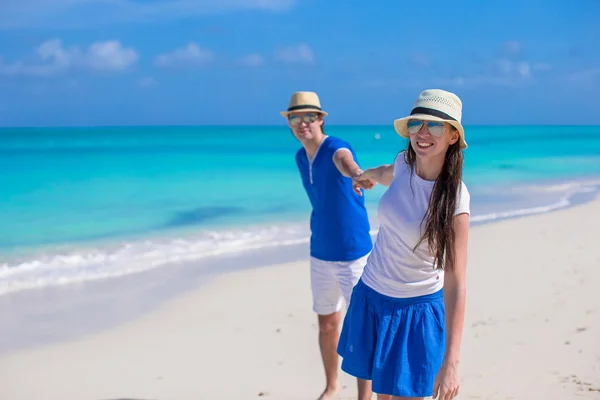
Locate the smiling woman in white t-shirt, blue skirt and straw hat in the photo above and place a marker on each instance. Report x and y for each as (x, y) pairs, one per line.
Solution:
(404, 324)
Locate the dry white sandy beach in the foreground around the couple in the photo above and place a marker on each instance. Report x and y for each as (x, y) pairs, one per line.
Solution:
(532, 330)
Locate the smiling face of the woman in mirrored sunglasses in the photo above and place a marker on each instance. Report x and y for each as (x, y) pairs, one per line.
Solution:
(431, 138)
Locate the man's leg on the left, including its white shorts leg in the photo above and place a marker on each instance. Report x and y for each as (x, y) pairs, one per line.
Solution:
(327, 303)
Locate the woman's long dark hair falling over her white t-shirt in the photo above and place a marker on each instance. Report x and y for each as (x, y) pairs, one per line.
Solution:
(439, 228)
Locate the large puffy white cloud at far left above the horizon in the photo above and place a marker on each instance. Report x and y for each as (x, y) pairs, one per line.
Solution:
(52, 58)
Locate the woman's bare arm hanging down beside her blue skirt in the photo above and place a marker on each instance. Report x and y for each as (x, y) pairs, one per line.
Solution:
(455, 292)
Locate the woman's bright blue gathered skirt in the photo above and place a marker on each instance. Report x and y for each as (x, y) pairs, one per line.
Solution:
(398, 343)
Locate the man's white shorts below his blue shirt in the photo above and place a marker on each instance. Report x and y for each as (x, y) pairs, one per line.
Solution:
(332, 283)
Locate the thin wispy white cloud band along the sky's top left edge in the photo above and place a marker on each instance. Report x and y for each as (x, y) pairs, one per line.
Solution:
(63, 13)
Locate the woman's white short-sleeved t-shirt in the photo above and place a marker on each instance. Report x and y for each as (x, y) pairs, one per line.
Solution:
(393, 269)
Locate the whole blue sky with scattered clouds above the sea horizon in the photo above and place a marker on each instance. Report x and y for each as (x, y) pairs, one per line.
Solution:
(193, 62)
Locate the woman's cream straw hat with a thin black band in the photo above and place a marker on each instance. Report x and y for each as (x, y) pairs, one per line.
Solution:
(435, 105)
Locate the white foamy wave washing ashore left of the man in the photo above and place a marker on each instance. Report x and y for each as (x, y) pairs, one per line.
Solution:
(87, 264)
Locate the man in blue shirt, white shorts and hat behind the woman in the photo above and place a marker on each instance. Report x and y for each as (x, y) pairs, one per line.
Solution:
(340, 240)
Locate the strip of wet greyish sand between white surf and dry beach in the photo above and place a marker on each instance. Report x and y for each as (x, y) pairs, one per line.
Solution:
(35, 314)
